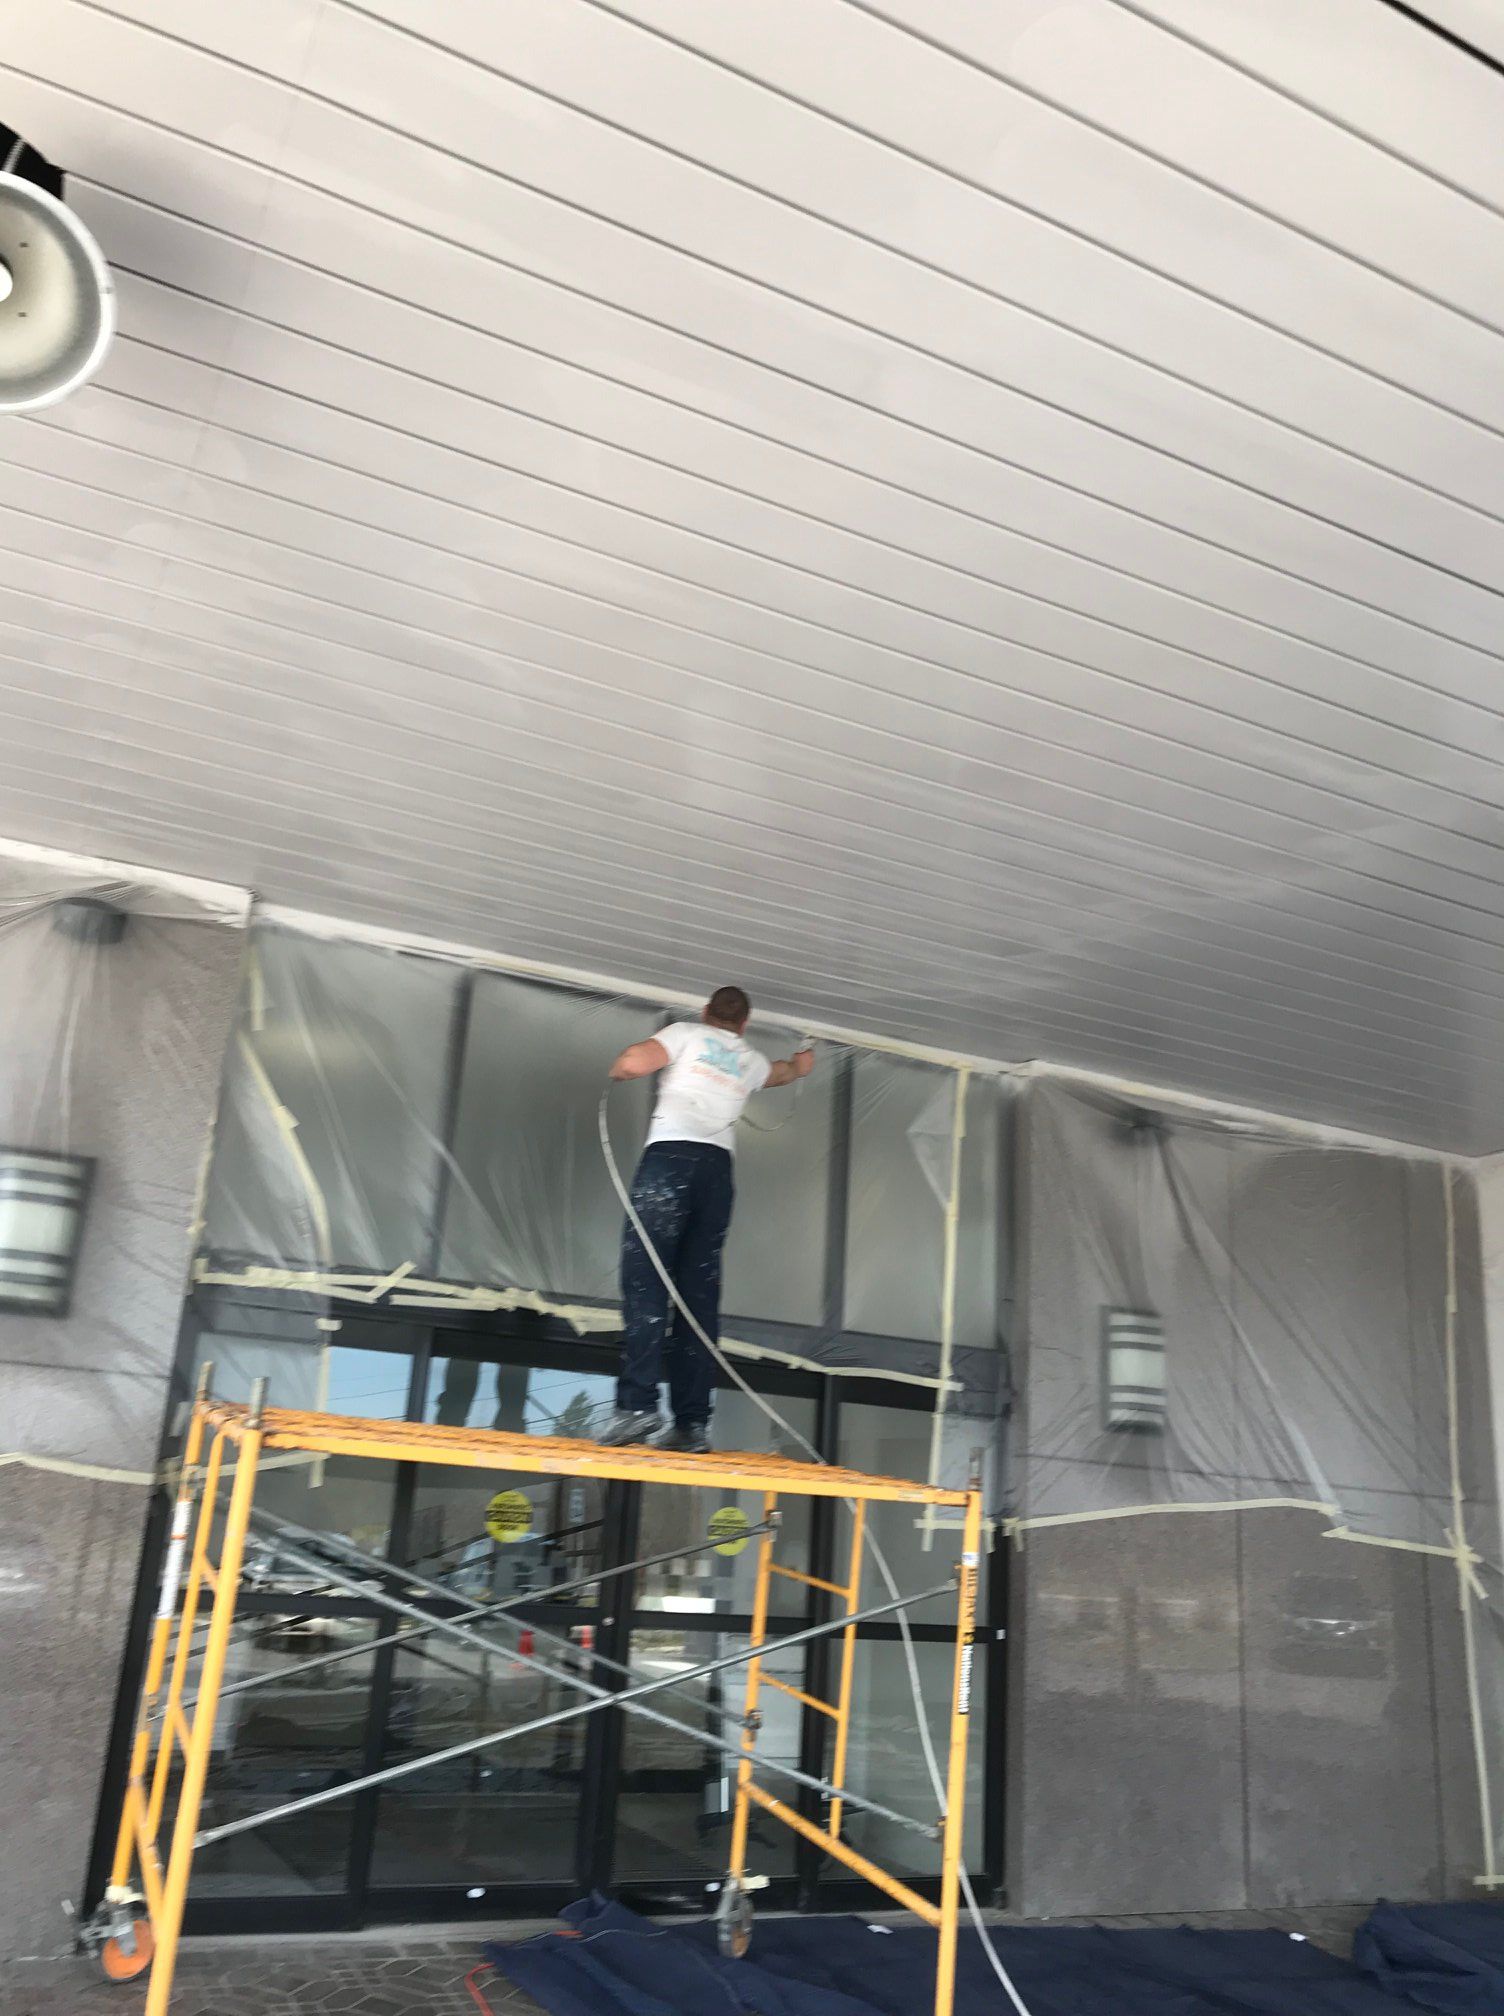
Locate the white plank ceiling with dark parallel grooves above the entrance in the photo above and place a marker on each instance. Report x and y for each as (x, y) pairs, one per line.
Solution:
(983, 521)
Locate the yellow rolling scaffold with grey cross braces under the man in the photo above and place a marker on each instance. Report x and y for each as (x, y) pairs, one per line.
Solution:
(140, 1922)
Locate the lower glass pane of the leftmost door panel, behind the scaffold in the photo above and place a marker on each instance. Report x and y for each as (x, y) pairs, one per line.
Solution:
(281, 1741)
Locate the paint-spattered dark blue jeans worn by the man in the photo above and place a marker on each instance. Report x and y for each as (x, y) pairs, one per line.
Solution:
(684, 1194)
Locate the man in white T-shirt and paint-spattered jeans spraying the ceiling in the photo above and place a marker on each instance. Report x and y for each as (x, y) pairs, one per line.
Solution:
(682, 1205)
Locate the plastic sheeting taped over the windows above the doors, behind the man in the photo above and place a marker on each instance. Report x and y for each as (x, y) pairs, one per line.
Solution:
(428, 1132)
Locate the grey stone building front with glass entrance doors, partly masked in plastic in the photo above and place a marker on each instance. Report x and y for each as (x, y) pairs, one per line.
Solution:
(1195, 1696)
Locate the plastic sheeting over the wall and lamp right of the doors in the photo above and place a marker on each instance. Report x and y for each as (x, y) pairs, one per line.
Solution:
(1303, 1305)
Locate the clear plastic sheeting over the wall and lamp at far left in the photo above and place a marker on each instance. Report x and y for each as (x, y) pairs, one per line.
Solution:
(116, 995)
